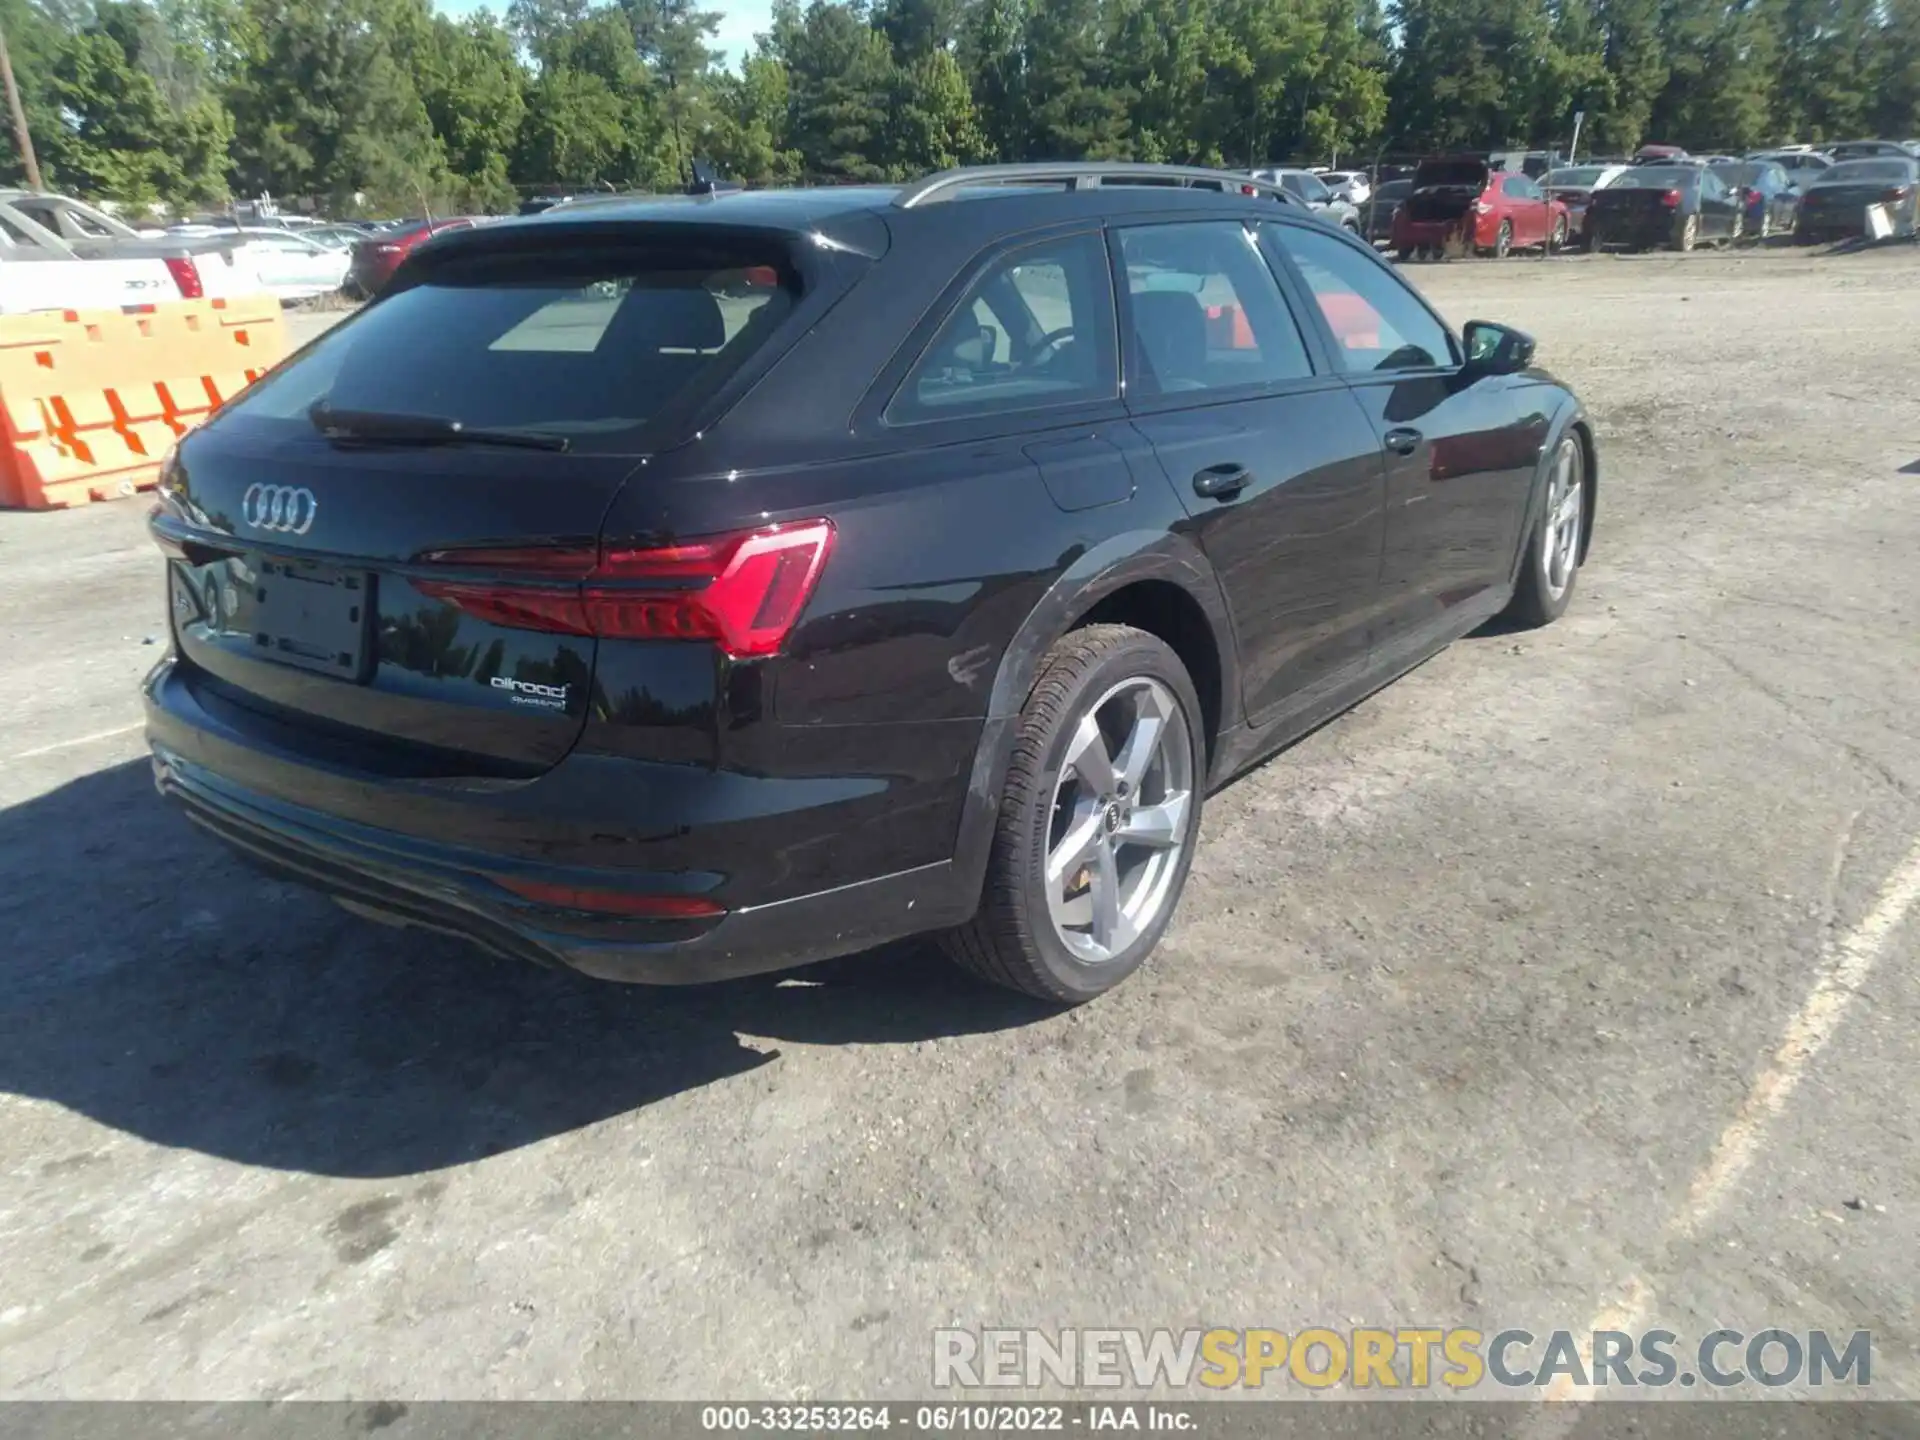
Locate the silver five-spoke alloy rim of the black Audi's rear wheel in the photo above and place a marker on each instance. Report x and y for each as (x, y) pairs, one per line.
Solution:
(1118, 821)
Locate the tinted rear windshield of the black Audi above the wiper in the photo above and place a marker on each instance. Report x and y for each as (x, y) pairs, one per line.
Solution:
(587, 347)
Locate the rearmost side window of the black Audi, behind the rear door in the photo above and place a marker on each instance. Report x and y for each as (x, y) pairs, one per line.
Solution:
(1036, 331)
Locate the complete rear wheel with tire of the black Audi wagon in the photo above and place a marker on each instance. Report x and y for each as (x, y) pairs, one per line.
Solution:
(1097, 823)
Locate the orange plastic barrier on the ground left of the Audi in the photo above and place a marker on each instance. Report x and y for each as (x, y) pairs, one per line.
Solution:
(93, 400)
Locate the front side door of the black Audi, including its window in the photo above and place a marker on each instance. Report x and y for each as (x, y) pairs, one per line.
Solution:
(1460, 452)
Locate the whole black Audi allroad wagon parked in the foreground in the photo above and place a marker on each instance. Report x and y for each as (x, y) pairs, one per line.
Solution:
(690, 588)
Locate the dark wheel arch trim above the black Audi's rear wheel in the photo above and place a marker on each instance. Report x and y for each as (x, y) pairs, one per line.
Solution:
(1109, 567)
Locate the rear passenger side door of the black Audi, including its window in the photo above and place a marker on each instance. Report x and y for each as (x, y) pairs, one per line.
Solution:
(1268, 452)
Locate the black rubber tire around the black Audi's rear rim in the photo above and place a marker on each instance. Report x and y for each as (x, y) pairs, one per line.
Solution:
(1013, 940)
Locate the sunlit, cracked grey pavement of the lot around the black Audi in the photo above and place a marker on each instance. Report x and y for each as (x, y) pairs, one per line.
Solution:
(1572, 976)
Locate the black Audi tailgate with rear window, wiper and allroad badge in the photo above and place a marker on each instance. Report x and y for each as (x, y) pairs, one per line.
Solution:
(379, 588)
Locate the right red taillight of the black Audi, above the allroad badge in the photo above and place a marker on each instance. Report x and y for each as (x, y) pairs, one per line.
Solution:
(756, 587)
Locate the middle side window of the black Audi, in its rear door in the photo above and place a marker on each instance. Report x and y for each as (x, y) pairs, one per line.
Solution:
(1205, 312)
